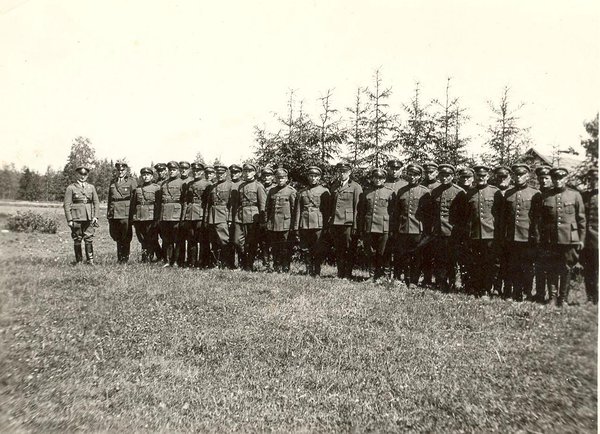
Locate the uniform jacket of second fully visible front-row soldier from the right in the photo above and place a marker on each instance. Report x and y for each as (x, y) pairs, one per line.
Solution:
(521, 213)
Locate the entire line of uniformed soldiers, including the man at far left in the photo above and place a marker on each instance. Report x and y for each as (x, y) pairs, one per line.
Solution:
(425, 224)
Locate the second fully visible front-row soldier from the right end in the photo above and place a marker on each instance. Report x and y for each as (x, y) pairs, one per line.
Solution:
(520, 233)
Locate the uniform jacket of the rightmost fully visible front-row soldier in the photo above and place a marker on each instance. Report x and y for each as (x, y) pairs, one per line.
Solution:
(563, 217)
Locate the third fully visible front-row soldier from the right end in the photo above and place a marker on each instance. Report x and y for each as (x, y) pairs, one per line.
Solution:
(484, 207)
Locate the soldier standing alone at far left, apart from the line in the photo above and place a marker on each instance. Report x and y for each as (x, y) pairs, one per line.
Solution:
(81, 205)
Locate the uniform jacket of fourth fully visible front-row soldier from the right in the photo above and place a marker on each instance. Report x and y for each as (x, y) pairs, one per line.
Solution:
(448, 207)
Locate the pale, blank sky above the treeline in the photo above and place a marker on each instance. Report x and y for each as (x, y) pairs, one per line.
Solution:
(154, 81)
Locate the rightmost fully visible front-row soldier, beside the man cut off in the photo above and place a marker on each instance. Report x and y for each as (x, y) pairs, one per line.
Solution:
(562, 233)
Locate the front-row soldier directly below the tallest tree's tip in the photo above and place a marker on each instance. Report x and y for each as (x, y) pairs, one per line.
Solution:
(375, 215)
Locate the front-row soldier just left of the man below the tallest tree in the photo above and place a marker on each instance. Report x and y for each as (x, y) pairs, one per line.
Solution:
(343, 224)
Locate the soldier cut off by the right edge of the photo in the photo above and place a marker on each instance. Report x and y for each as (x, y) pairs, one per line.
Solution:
(589, 254)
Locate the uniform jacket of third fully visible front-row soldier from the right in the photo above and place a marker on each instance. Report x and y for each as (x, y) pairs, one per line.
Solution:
(484, 211)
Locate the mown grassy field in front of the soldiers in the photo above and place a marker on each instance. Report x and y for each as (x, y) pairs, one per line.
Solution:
(135, 347)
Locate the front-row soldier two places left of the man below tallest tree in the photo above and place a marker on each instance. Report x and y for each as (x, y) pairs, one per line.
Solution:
(313, 210)
